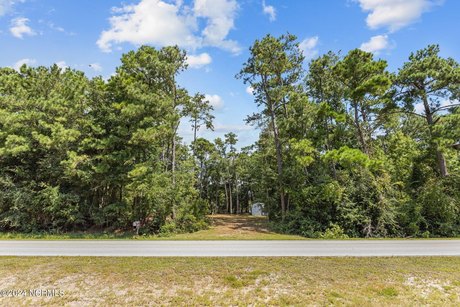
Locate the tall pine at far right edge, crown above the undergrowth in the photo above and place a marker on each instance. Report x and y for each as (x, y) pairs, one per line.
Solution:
(430, 80)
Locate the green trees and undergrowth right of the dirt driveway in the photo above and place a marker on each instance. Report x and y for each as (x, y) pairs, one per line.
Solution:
(356, 161)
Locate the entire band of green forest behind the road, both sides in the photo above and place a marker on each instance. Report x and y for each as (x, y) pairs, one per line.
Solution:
(346, 147)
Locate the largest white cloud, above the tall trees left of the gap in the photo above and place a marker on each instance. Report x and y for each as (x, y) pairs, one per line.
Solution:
(161, 23)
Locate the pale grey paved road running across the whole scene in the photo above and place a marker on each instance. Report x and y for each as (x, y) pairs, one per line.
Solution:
(115, 248)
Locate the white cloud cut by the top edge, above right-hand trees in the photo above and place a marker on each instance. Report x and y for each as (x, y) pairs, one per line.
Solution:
(394, 14)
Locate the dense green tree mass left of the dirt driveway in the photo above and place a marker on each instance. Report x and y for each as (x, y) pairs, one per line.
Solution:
(78, 153)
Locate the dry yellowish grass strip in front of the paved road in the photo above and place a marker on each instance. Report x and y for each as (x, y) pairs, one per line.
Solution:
(94, 281)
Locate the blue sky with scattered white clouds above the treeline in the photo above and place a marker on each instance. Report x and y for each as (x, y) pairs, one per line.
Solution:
(91, 35)
